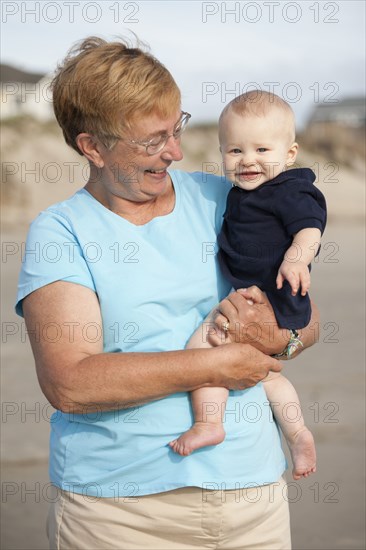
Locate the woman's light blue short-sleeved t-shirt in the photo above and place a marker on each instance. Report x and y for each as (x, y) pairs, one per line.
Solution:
(155, 284)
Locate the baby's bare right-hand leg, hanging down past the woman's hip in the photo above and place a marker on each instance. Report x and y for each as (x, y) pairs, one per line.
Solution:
(284, 400)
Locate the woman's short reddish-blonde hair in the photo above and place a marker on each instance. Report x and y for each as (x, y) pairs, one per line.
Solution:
(102, 87)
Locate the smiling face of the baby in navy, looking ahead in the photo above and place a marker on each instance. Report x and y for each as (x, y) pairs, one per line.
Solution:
(255, 149)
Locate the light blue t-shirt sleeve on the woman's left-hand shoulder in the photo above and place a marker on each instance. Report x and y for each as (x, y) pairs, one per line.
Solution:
(51, 253)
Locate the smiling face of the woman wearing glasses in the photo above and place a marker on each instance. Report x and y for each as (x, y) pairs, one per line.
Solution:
(129, 172)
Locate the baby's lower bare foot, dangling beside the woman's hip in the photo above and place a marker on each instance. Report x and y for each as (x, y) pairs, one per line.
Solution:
(303, 454)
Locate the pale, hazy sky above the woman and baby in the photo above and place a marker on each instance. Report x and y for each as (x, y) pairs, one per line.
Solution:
(305, 51)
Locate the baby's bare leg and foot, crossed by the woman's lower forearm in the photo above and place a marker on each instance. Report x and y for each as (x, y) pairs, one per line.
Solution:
(208, 405)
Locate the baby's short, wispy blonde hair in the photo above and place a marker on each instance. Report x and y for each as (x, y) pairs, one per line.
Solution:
(260, 103)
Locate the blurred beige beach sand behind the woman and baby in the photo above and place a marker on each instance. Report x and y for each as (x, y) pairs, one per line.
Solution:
(328, 508)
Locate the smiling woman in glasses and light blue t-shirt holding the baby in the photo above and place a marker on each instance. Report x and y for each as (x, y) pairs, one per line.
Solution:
(134, 273)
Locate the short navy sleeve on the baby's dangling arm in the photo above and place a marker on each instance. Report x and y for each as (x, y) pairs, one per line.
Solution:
(299, 206)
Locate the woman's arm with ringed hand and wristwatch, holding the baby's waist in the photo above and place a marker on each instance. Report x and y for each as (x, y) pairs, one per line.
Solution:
(252, 321)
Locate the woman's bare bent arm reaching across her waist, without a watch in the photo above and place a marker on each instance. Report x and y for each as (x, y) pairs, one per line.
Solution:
(76, 376)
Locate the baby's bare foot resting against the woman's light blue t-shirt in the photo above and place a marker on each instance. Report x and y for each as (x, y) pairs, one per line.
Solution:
(200, 435)
